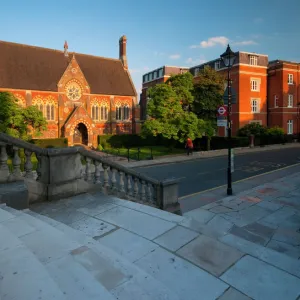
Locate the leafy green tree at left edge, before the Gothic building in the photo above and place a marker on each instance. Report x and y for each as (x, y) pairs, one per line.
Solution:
(17, 121)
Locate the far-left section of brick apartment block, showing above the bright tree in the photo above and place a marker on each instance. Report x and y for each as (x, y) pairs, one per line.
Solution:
(154, 77)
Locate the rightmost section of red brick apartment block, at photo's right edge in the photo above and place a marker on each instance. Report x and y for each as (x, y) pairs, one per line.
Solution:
(284, 95)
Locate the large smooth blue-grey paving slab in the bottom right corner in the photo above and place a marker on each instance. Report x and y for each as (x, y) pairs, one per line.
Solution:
(259, 280)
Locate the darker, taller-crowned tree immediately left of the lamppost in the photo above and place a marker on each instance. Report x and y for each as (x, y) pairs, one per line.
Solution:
(208, 93)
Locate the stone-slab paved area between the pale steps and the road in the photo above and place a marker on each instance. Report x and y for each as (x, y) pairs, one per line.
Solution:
(241, 247)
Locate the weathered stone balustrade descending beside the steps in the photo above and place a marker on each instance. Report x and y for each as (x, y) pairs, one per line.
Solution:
(64, 172)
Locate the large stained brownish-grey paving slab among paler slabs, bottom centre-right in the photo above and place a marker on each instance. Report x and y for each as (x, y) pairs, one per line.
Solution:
(210, 254)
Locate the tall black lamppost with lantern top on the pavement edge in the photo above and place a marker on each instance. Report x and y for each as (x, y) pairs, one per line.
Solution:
(228, 58)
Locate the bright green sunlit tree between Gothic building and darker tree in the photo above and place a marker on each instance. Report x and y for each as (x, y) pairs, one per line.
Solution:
(167, 114)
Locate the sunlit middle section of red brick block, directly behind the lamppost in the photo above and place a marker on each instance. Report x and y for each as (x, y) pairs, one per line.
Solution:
(249, 80)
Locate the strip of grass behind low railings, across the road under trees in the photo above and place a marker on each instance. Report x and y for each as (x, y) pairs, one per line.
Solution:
(144, 153)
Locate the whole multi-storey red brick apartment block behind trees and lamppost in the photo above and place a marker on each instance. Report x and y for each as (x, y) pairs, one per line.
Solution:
(266, 92)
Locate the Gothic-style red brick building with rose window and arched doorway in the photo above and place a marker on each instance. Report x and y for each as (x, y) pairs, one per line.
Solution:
(81, 96)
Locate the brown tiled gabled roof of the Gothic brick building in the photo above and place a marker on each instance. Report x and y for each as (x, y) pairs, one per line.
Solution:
(35, 68)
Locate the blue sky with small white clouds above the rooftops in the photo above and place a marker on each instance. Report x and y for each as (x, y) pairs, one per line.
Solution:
(176, 33)
